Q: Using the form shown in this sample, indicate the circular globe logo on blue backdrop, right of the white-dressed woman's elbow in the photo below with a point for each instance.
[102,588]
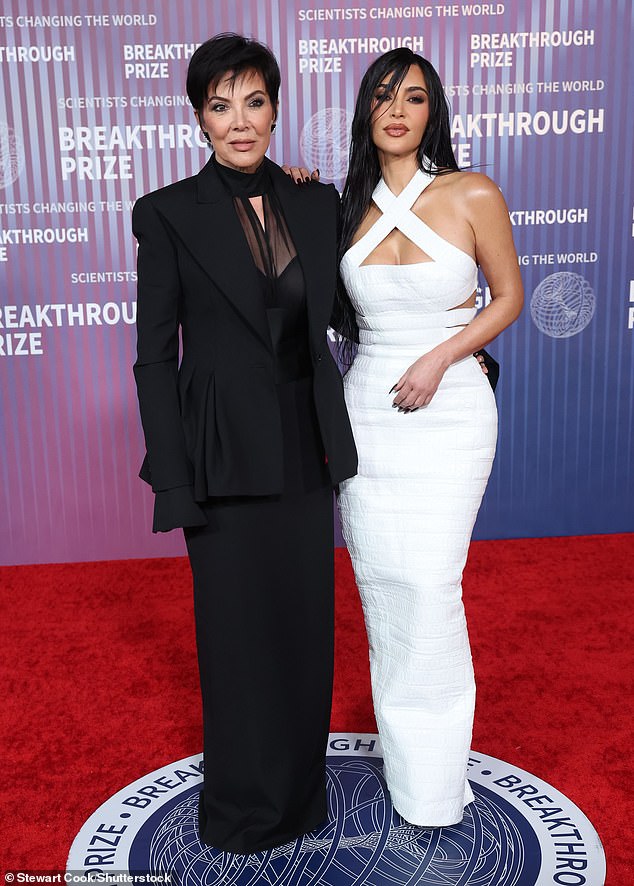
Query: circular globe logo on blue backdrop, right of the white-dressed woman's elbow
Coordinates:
[562,304]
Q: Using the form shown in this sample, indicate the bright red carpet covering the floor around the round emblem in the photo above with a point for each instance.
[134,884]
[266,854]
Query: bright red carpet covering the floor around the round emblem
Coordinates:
[101,686]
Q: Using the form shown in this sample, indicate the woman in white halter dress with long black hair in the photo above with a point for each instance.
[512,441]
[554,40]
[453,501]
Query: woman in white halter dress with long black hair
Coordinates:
[414,230]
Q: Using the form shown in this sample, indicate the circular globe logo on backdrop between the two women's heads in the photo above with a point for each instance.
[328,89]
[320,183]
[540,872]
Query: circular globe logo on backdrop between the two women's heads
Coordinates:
[325,141]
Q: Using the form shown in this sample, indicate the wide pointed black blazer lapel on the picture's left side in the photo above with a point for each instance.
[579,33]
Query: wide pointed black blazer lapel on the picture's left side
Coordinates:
[211,231]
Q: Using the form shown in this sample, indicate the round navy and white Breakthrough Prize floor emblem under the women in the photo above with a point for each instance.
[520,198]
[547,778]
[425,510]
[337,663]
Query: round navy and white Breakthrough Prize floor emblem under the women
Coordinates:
[520,831]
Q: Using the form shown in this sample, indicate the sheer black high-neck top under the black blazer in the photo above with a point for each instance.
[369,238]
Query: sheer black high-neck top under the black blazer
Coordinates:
[281,278]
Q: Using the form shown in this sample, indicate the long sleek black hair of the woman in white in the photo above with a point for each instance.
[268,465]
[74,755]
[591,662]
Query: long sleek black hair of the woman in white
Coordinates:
[434,156]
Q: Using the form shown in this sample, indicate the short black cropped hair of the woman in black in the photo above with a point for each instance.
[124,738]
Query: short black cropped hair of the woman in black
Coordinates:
[230,55]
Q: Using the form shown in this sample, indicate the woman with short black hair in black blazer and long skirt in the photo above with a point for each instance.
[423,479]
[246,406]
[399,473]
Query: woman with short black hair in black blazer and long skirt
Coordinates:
[245,440]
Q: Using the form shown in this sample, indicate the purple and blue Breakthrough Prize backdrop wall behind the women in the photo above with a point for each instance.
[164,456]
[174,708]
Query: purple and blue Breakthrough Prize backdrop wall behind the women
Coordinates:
[93,114]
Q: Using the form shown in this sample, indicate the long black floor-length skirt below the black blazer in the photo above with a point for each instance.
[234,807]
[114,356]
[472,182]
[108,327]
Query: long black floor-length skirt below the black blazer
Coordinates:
[263,600]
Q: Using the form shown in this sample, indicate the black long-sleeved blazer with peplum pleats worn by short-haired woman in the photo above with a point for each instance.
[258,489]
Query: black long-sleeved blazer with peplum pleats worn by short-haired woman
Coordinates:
[212,425]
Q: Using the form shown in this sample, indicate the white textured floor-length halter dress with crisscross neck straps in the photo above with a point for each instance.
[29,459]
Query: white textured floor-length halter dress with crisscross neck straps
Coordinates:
[408,515]
